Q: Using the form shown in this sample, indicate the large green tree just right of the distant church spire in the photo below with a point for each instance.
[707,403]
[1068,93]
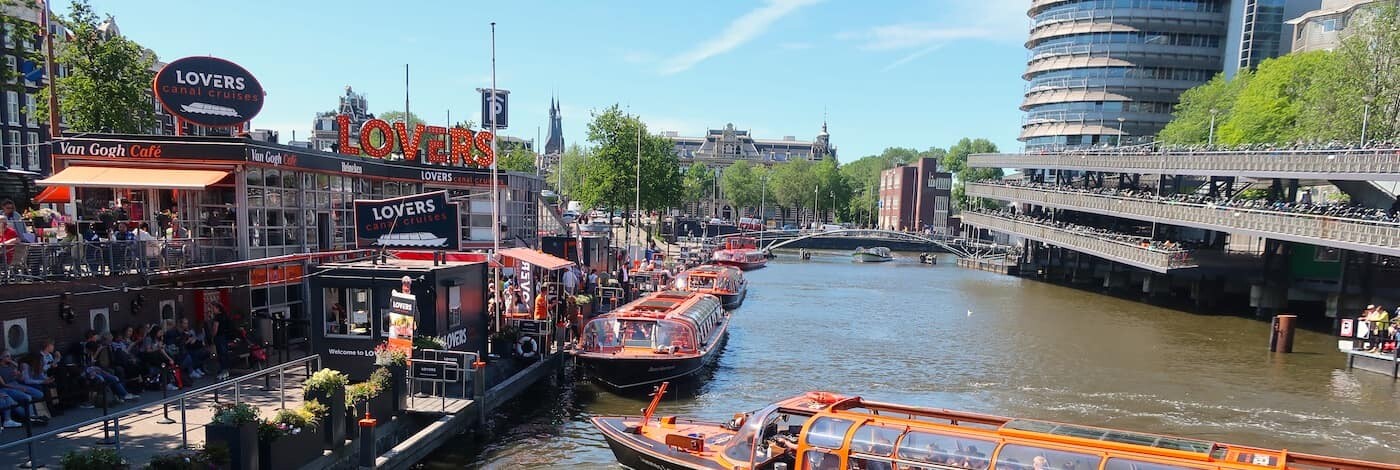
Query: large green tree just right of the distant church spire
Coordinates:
[611,174]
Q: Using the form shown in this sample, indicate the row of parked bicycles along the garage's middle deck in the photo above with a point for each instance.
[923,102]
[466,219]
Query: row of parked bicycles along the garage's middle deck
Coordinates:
[1305,205]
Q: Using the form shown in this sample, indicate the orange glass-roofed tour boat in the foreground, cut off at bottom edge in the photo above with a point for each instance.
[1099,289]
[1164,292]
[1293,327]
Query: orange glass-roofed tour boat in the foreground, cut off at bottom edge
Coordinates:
[829,432]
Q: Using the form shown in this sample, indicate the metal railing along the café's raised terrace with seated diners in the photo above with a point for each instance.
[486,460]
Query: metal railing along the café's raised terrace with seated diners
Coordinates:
[58,261]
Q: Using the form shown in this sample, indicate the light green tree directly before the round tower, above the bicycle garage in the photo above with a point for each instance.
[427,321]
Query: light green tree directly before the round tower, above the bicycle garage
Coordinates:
[1192,120]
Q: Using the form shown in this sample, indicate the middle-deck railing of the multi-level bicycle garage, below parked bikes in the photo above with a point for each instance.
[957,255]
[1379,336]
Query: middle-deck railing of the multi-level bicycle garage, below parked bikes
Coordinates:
[1382,238]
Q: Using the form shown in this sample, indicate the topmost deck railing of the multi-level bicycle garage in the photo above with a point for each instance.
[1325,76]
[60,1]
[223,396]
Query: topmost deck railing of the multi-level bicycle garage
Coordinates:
[1370,164]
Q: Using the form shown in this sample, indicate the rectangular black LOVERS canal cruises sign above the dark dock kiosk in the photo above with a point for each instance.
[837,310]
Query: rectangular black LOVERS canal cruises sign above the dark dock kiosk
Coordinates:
[421,222]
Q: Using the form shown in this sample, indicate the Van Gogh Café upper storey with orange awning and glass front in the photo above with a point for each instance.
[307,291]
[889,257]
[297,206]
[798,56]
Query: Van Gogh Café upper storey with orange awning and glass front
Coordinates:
[247,198]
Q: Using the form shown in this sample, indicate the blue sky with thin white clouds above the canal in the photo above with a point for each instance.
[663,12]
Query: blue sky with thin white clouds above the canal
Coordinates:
[885,73]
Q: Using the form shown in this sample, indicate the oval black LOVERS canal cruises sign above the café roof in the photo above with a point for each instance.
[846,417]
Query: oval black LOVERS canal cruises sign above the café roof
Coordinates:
[209,92]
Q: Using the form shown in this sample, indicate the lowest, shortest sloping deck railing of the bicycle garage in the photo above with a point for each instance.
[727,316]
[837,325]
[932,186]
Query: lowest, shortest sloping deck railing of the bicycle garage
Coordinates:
[1111,250]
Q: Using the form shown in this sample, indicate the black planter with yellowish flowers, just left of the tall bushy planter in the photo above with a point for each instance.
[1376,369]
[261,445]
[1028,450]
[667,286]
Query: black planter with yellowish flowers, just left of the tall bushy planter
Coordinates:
[290,440]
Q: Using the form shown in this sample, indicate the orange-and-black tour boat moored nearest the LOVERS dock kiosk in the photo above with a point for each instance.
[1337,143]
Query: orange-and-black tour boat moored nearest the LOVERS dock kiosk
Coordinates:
[661,336]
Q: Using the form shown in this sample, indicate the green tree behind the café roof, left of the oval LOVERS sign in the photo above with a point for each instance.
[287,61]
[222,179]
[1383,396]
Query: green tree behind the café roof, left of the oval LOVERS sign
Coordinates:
[108,87]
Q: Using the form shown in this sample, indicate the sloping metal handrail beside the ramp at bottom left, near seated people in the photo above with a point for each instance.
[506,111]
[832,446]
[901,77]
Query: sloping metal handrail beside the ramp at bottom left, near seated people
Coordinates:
[114,420]
